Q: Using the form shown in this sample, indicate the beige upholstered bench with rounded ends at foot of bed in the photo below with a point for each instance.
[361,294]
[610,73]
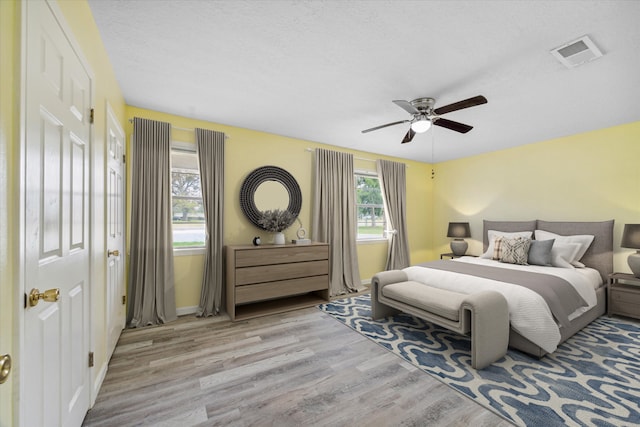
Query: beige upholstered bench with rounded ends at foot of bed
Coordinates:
[483,315]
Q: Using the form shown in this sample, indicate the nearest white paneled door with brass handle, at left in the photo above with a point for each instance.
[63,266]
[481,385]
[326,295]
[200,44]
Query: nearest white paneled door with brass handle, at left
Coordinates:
[54,372]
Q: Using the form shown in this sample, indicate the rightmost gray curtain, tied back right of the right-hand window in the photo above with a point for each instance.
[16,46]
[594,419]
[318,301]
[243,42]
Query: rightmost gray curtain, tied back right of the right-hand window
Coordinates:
[393,183]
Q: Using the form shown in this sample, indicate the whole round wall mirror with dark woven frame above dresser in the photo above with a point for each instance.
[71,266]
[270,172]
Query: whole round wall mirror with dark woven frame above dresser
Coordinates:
[269,188]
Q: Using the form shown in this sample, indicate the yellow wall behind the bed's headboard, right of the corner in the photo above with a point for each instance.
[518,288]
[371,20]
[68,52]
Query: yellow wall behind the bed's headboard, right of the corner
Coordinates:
[592,176]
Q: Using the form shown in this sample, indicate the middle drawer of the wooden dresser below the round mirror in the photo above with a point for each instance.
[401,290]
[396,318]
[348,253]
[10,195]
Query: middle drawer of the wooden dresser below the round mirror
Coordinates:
[275,272]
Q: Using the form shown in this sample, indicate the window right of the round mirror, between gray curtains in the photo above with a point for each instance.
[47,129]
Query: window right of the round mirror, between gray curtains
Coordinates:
[370,208]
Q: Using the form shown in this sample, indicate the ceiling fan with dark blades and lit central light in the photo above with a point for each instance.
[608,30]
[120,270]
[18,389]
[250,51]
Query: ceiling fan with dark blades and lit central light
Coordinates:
[424,115]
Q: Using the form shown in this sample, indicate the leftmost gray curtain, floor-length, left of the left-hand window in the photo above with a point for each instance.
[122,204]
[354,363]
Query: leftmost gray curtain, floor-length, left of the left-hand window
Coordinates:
[151,278]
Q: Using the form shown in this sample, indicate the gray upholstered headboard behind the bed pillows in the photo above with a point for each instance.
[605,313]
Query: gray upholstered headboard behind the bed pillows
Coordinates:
[598,256]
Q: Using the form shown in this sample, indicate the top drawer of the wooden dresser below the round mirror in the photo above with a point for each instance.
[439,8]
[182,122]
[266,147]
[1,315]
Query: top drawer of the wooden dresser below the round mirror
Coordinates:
[285,255]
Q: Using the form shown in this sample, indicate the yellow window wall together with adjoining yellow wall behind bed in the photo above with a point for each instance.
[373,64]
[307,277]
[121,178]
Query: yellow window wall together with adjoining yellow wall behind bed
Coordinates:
[584,177]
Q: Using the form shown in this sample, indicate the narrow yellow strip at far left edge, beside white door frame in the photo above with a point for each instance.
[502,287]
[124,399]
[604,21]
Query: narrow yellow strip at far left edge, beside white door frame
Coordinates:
[9,68]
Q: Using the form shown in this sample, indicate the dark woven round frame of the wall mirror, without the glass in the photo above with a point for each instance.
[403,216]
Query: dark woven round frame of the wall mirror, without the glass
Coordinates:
[264,174]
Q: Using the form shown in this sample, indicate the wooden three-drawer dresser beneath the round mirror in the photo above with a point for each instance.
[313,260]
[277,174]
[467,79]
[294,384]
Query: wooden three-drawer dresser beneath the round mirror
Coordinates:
[270,279]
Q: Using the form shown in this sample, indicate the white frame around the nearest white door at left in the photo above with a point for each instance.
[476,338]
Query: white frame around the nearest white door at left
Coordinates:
[20,404]
